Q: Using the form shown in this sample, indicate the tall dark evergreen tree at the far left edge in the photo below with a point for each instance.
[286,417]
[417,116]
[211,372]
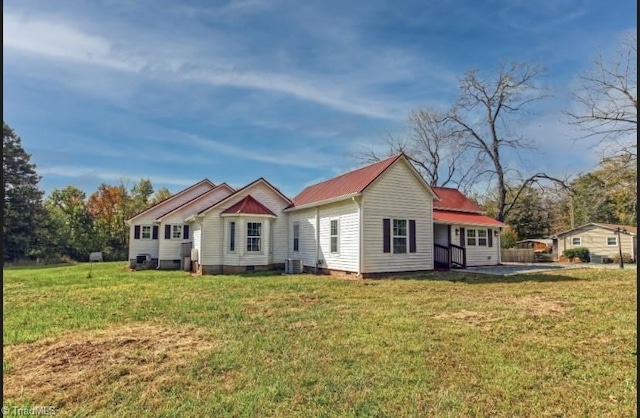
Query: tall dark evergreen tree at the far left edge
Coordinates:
[22,210]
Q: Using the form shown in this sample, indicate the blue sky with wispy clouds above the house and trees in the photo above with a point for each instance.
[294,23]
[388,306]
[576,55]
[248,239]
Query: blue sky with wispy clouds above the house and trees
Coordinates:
[290,91]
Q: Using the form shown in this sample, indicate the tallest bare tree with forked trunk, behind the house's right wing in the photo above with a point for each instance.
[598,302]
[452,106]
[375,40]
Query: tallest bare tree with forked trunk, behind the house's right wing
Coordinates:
[486,115]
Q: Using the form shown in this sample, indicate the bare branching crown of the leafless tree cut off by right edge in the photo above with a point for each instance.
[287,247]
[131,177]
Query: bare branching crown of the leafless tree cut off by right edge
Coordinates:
[607,100]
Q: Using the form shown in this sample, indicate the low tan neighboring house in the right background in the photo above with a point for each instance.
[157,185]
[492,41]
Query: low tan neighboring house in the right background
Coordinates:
[601,239]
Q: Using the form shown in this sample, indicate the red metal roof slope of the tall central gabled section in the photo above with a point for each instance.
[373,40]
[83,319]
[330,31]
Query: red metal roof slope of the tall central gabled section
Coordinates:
[349,183]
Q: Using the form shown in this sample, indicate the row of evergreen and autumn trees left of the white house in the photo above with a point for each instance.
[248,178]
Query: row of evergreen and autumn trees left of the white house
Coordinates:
[67,223]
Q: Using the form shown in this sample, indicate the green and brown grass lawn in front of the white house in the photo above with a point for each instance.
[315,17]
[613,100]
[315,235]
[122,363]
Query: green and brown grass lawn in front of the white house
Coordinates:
[450,344]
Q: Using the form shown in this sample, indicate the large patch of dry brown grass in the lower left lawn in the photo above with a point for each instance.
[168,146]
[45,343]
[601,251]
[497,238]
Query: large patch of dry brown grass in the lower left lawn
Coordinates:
[83,368]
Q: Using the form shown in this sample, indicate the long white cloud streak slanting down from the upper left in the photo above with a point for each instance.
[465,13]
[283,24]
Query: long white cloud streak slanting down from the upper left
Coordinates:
[46,38]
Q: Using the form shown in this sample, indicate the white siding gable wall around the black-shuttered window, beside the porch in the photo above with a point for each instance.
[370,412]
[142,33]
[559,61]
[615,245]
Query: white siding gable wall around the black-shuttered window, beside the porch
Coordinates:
[397,194]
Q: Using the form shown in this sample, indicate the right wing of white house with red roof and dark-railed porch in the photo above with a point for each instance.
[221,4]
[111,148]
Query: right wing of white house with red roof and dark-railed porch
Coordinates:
[464,236]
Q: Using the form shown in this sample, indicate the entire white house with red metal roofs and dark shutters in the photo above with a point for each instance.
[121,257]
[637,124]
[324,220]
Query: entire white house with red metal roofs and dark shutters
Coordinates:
[382,218]
